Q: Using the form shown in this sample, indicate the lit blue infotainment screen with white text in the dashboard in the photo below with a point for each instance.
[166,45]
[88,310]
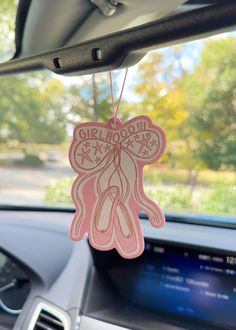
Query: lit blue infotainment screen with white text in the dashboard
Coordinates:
[182,280]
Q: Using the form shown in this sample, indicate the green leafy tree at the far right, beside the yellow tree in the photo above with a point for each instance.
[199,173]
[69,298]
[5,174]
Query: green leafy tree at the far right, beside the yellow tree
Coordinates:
[211,98]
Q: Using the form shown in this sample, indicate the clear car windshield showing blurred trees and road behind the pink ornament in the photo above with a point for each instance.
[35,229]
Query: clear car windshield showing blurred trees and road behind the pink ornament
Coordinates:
[187,89]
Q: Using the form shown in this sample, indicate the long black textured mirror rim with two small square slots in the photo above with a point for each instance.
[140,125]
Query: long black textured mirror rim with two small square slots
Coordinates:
[116,47]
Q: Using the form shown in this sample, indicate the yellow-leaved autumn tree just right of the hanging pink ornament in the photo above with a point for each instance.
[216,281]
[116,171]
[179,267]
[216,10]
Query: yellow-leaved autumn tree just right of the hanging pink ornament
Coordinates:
[160,89]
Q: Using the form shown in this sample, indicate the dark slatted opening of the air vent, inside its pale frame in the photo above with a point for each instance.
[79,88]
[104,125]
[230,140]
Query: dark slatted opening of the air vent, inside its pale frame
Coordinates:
[48,321]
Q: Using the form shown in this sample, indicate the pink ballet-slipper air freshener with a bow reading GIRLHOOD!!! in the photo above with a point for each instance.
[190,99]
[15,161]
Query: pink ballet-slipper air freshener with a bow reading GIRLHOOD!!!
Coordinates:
[108,192]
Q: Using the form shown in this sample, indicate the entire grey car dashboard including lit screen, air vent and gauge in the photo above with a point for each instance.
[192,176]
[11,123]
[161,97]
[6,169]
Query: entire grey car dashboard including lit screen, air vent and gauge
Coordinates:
[185,279]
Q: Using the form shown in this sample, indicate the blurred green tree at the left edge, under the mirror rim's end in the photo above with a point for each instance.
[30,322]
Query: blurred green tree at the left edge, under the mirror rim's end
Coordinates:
[32,109]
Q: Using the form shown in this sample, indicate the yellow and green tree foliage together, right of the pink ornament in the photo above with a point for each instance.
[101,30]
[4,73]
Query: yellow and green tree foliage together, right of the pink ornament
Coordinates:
[198,109]
